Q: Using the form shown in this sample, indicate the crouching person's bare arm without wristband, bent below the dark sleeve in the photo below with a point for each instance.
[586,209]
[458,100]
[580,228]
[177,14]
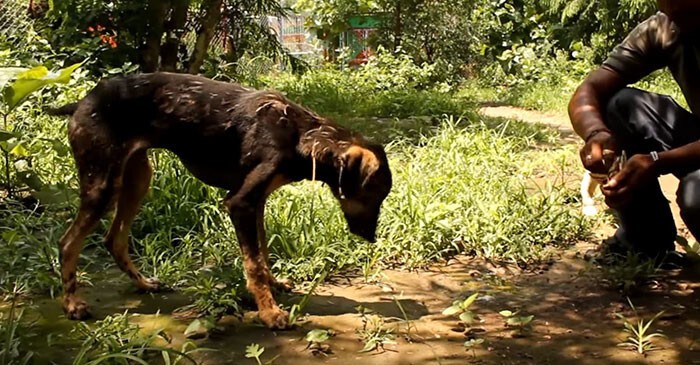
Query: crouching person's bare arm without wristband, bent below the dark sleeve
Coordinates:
[586,110]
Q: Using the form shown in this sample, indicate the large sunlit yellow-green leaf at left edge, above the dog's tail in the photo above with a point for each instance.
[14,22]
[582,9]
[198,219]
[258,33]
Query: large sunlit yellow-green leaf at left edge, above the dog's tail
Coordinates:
[32,80]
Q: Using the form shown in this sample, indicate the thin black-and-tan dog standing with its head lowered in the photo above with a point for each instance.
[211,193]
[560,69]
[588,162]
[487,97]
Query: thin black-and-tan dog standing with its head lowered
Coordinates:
[246,141]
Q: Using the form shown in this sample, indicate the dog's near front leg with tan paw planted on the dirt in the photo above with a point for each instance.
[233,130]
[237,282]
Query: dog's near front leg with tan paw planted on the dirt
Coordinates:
[243,207]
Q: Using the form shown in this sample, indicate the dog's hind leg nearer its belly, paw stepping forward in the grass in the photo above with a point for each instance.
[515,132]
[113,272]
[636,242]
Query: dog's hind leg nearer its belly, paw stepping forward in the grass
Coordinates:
[136,181]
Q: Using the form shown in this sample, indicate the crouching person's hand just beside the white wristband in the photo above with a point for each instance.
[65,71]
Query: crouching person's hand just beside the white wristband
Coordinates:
[636,172]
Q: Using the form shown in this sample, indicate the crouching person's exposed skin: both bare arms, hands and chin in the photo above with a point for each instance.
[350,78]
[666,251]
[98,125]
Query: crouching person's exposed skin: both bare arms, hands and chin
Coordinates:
[585,111]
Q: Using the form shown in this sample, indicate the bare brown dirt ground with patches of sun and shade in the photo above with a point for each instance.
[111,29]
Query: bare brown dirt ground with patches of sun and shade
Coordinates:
[574,314]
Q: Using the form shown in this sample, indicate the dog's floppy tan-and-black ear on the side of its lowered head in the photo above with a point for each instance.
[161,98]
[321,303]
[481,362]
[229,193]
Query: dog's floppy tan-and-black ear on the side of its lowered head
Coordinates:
[358,164]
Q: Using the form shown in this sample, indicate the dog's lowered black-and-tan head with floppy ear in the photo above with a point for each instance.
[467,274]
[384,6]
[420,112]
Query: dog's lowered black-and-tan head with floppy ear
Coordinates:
[364,183]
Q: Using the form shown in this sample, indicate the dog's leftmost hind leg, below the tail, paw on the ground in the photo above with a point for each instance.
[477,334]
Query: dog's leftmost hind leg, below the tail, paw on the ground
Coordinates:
[96,193]
